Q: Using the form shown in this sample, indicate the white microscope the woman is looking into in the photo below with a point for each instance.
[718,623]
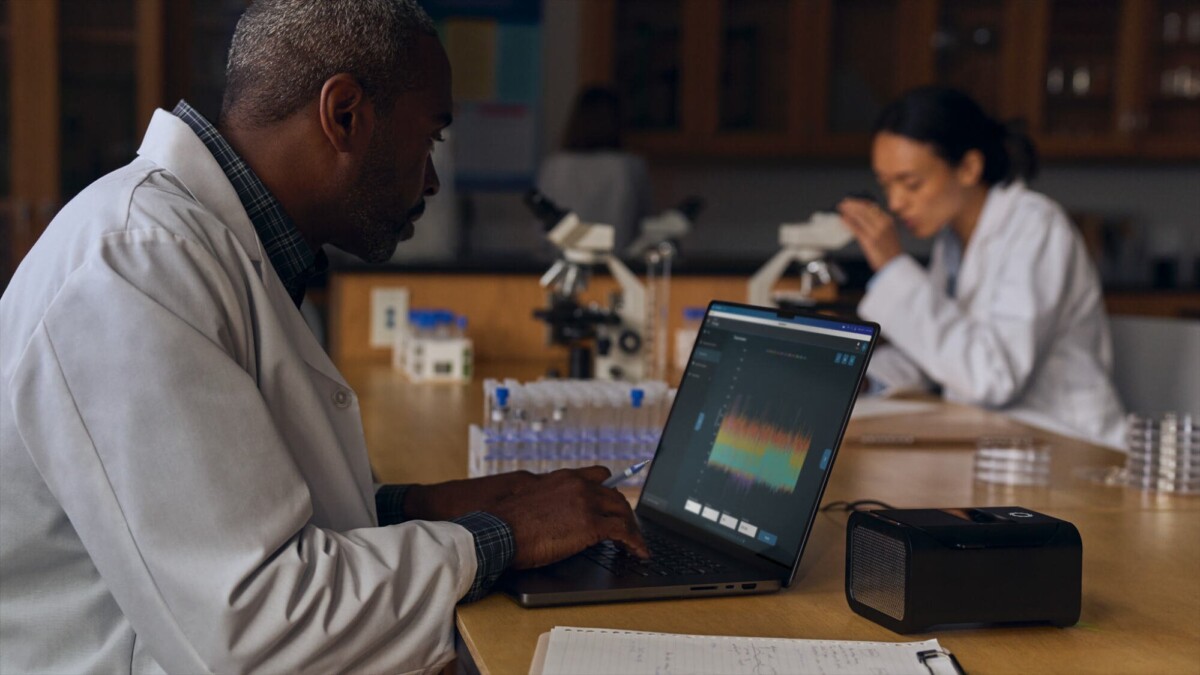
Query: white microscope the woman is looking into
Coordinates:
[809,244]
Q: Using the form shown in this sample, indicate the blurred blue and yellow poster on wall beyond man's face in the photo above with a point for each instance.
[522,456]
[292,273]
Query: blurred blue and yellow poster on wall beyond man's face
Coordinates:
[495,50]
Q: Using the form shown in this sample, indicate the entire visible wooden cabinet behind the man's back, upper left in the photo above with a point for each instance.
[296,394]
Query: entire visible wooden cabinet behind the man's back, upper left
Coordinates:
[80,81]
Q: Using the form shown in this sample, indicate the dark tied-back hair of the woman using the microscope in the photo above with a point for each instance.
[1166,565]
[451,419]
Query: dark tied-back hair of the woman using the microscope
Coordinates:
[953,124]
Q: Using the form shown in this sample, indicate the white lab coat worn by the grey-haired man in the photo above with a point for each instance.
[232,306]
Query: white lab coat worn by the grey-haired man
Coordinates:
[185,485]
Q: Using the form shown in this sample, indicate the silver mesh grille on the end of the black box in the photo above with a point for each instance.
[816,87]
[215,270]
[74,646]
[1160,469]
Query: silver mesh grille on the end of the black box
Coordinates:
[878,572]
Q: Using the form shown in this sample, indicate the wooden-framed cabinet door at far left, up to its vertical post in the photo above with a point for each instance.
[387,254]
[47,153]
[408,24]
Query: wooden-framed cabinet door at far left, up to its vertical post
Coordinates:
[83,80]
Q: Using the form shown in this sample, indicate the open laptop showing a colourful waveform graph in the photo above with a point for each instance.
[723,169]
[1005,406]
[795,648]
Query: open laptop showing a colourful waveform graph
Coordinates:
[741,467]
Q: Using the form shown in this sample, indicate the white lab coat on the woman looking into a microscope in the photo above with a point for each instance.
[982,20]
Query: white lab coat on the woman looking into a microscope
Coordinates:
[1027,332]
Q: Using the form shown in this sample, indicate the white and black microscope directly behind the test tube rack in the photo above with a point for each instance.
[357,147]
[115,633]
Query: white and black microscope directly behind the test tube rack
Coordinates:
[610,338]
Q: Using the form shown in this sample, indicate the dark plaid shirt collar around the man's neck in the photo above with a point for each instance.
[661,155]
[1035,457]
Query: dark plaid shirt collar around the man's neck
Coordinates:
[291,256]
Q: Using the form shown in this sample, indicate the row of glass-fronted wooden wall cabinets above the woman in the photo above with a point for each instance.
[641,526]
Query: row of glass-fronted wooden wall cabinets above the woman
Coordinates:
[728,79]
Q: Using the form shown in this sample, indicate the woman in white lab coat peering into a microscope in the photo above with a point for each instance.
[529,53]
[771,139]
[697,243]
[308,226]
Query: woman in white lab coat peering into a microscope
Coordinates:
[1010,313]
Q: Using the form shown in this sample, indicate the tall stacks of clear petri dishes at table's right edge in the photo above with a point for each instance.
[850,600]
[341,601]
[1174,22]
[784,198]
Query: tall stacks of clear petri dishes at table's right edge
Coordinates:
[1165,453]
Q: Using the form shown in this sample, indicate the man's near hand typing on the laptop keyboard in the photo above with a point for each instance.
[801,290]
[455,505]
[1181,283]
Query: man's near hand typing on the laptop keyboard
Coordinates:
[562,513]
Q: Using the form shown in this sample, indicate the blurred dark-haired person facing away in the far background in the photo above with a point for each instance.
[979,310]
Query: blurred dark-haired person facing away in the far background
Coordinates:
[593,176]
